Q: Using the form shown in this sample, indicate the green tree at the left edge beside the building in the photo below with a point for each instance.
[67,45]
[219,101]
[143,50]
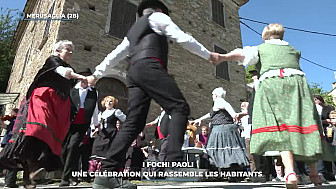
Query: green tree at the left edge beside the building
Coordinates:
[8,24]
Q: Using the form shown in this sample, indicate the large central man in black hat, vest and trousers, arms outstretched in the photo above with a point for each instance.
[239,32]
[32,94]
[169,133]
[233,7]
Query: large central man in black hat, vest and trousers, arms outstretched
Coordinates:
[146,45]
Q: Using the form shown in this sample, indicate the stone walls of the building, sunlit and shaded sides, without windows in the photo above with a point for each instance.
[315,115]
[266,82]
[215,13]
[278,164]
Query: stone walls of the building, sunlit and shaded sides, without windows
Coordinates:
[194,75]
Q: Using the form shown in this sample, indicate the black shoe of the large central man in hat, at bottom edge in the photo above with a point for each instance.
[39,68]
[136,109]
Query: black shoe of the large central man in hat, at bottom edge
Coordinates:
[110,183]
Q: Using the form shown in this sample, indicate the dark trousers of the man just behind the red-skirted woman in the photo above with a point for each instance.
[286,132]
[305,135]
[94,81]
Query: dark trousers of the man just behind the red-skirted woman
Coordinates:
[71,151]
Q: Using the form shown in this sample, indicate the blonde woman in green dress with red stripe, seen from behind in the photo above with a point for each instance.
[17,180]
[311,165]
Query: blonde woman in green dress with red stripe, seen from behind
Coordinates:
[285,118]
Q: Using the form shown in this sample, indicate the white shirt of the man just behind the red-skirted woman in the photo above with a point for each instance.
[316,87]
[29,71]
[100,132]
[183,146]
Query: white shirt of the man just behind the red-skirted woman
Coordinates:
[82,95]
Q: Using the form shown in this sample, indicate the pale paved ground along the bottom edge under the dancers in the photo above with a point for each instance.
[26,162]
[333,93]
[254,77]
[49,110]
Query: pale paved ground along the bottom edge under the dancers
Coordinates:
[195,185]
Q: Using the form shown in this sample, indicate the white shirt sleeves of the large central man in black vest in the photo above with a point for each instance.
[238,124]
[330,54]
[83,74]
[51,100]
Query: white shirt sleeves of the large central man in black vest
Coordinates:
[161,24]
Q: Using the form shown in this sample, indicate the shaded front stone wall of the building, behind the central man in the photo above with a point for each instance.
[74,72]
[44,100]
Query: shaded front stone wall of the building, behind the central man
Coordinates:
[194,75]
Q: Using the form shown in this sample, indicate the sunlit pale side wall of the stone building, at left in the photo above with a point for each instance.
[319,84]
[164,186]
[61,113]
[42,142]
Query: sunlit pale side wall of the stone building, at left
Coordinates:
[32,49]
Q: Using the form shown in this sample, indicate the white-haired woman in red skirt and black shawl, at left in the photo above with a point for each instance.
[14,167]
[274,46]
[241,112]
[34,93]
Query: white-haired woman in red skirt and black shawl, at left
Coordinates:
[48,118]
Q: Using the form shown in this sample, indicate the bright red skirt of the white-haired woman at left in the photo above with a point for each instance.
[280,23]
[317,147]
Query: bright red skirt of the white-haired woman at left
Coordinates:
[48,118]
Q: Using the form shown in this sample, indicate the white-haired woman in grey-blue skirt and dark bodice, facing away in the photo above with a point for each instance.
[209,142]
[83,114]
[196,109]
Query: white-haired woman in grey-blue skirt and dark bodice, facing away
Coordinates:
[225,147]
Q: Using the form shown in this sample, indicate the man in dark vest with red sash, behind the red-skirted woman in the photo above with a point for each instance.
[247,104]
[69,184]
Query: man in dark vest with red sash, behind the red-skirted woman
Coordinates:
[83,114]
